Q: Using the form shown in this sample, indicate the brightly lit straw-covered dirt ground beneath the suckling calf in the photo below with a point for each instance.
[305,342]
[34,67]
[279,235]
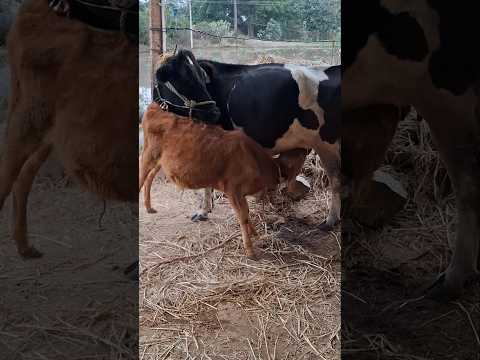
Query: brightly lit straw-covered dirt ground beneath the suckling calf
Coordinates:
[219,304]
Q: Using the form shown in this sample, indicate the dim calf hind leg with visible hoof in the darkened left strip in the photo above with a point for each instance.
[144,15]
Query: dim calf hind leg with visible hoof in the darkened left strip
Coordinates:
[21,190]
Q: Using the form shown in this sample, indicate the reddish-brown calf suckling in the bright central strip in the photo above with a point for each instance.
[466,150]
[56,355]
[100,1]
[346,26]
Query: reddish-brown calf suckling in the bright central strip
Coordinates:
[196,156]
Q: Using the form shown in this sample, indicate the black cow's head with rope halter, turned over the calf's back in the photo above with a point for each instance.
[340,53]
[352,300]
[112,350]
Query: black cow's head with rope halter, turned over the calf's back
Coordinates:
[182,85]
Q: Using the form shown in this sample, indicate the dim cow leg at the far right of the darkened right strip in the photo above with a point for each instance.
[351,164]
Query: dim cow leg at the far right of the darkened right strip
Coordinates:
[459,145]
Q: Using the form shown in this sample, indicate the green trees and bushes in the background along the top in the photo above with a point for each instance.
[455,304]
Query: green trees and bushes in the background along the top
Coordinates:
[302,20]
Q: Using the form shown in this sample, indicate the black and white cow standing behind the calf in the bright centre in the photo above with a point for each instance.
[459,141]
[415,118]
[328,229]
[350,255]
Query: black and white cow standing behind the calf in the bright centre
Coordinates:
[282,107]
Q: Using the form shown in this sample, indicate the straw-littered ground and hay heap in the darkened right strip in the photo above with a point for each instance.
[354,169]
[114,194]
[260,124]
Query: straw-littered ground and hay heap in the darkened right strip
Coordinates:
[386,271]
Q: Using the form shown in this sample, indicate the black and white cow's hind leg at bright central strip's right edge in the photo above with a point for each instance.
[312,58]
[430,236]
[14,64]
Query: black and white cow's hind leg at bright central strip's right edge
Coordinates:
[331,161]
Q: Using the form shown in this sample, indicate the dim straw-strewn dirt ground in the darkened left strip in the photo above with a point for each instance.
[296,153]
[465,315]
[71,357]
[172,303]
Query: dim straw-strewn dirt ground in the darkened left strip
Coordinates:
[75,302]
